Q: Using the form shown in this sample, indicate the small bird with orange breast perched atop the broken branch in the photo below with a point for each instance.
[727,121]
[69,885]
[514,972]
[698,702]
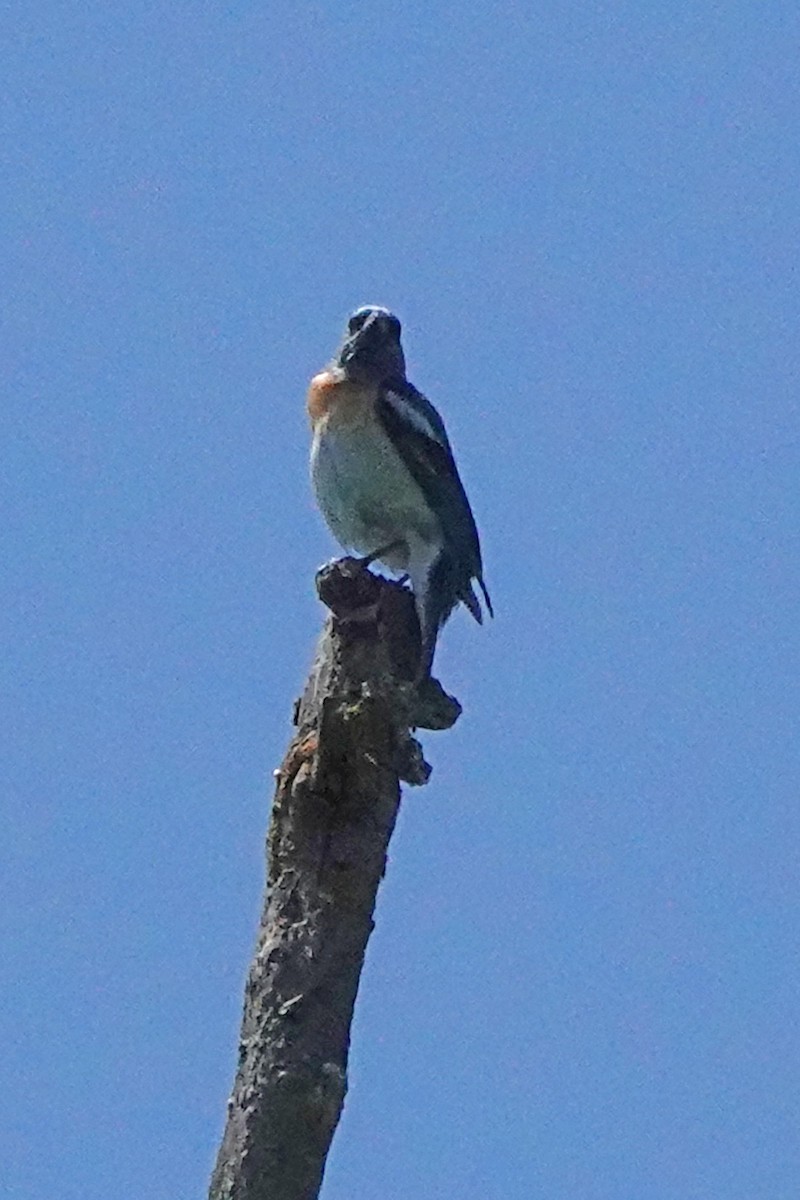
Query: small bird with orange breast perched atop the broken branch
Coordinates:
[386,478]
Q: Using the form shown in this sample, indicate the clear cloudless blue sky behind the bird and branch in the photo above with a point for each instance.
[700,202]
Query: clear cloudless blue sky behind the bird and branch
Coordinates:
[584,983]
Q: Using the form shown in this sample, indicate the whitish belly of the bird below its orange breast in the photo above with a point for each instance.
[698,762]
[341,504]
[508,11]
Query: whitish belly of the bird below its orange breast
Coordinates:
[368,495]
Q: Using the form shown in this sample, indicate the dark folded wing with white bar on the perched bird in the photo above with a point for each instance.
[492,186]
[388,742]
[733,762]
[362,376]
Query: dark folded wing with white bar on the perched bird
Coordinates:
[419,436]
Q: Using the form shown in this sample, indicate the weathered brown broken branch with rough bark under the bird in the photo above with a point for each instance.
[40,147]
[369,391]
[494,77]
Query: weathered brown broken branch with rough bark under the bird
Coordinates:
[334,812]
